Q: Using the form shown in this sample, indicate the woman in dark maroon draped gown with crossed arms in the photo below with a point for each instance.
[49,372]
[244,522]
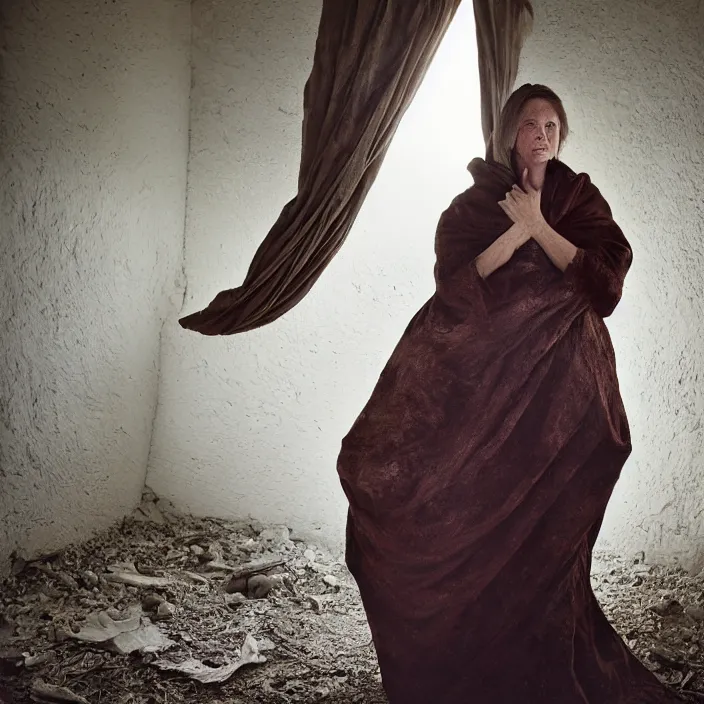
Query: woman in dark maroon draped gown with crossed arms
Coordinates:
[479,471]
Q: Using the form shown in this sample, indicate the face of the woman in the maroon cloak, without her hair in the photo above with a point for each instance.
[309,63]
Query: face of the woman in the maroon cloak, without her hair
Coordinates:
[538,138]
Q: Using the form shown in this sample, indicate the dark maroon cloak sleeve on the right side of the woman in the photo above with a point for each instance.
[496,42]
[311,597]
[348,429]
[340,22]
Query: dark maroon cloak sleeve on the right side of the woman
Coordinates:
[603,255]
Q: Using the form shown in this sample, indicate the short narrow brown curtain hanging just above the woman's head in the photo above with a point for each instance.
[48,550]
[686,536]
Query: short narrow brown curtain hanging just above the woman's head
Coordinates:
[502,27]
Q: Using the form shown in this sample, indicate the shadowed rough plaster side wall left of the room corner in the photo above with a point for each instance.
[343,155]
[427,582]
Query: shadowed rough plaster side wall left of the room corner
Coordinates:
[94,140]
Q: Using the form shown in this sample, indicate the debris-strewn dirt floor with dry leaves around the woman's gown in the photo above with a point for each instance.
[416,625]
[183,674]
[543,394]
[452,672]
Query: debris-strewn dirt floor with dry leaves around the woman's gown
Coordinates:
[165,609]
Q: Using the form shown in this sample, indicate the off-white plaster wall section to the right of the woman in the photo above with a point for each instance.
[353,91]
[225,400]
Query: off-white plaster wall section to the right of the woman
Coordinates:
[632,77]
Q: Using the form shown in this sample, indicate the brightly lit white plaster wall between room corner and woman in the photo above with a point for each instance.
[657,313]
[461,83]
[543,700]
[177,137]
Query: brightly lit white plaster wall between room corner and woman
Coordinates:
[251,424]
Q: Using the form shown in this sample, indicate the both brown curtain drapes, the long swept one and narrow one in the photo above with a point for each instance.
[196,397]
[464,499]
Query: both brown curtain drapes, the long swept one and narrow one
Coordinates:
[370,58]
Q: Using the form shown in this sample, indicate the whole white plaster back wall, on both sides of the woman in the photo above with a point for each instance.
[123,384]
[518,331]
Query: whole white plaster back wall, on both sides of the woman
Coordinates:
[252,423]
